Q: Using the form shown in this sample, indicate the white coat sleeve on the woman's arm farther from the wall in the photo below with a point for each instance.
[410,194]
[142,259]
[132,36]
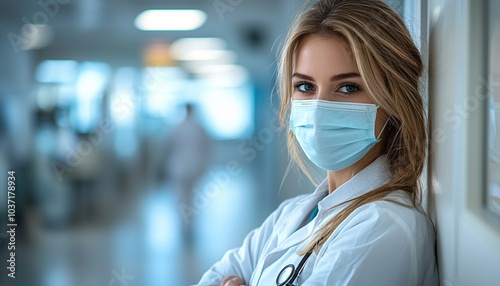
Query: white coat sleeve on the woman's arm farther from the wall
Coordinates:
[242,261]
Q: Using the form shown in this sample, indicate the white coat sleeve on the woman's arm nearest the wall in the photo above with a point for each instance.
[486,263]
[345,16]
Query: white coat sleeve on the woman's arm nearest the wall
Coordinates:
[378,247]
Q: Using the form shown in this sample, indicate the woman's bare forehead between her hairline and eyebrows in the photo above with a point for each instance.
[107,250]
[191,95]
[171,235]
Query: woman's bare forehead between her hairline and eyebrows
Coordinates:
[324,54]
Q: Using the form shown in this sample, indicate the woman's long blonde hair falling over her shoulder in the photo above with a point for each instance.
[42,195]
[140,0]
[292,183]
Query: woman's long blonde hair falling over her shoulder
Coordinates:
[390,66]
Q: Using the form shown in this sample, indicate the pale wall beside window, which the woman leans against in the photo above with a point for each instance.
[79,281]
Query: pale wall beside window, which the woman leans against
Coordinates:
[468,237]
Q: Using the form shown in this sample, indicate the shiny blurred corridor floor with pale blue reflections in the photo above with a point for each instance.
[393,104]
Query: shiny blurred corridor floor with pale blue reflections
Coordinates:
[153,241]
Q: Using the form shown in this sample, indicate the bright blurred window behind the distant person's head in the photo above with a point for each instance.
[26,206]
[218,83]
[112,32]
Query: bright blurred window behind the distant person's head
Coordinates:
[223,96]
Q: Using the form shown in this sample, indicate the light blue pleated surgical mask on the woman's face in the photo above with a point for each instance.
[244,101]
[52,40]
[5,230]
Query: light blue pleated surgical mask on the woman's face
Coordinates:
[334,135]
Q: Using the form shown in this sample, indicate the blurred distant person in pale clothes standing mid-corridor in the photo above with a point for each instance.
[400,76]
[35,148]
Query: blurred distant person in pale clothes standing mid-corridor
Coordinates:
[188,154]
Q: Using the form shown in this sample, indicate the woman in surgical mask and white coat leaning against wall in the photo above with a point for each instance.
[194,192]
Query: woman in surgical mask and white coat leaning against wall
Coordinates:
[349,76]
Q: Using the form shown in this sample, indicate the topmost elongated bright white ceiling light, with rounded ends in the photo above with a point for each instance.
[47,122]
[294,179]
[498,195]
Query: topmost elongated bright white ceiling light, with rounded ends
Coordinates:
[170,20]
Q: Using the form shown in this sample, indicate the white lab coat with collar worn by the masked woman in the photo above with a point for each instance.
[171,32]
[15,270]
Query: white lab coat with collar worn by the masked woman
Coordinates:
[381,243]
